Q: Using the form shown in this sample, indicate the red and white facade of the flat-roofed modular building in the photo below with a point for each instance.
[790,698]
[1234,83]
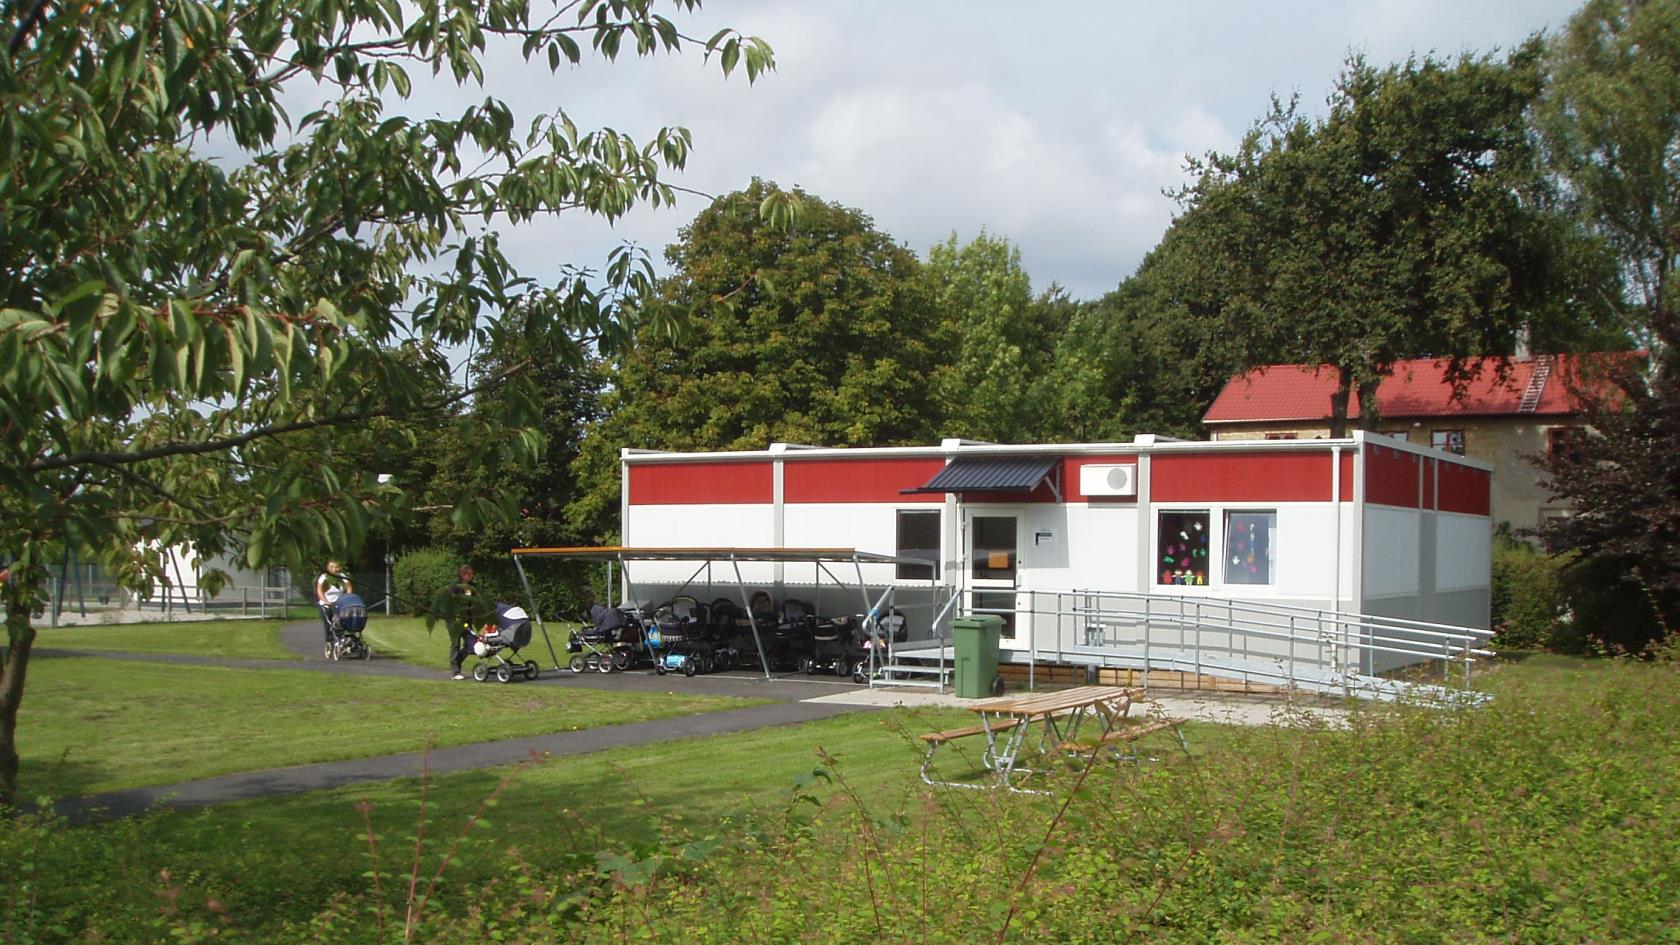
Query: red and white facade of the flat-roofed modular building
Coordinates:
[1368,524]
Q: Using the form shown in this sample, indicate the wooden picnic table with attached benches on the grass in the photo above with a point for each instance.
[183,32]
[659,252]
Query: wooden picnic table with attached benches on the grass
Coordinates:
[1056,717]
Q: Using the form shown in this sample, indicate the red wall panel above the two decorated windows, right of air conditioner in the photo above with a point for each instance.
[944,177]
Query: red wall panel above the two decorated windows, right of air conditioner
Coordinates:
[1241,478]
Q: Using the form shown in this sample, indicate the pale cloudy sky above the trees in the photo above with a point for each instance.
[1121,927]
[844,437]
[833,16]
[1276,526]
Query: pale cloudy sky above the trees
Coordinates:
[1056,127]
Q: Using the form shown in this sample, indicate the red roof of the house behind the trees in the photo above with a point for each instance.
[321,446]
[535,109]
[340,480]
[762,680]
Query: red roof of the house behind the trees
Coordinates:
[1415,389]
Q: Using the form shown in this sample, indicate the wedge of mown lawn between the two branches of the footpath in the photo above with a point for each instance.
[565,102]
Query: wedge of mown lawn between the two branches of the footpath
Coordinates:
[93,726]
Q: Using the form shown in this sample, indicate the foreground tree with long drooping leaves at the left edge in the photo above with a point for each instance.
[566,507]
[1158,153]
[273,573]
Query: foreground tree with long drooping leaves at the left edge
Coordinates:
[209,354]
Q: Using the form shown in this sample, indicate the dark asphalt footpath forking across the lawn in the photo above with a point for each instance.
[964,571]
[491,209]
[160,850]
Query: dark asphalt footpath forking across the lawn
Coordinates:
[794,705]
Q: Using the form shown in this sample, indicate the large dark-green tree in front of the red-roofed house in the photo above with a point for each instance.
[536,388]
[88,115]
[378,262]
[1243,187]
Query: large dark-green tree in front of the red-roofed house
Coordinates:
[1412,221]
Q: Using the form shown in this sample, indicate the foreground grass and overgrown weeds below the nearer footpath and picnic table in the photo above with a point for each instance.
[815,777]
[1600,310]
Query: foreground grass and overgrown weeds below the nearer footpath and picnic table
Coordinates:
[1546,816]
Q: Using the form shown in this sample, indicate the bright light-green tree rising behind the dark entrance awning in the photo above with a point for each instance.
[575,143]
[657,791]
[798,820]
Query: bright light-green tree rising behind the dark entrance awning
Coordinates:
[1002,339]
